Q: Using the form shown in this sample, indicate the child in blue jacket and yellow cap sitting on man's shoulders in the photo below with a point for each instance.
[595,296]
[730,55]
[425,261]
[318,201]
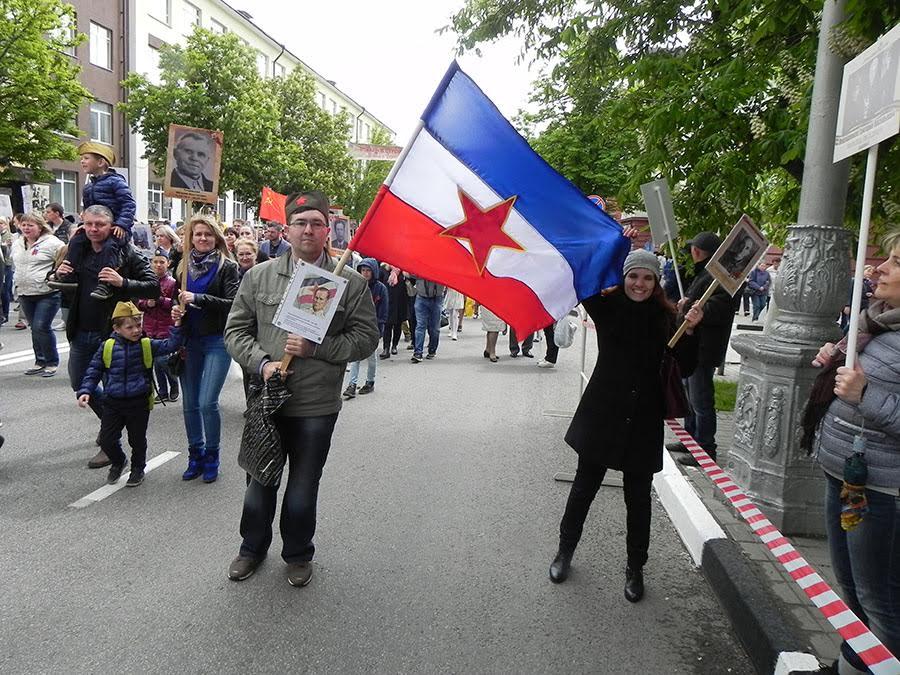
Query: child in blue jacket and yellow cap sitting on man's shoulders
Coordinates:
[106,188]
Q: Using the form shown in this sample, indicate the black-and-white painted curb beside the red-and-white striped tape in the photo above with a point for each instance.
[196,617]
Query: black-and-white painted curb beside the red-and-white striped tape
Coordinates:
[773,643]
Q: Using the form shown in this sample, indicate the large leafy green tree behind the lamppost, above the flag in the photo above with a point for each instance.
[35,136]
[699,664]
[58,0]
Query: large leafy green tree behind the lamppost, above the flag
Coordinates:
[714,95]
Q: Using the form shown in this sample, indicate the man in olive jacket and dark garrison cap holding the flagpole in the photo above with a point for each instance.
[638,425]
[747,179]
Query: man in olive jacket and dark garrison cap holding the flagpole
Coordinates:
[306,420]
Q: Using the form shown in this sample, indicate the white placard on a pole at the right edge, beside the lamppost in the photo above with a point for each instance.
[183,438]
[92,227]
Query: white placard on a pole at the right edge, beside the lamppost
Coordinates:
[870,97]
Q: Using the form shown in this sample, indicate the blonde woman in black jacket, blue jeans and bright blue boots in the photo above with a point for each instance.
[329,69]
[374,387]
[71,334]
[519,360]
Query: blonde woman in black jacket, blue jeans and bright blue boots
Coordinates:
[212,282]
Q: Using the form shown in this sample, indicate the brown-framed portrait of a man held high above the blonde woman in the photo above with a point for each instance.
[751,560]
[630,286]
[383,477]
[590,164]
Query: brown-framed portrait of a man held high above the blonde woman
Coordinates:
[193,160]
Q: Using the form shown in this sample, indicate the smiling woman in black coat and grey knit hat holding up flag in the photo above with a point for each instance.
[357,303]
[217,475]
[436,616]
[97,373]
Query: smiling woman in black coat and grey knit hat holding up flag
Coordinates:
[619,421]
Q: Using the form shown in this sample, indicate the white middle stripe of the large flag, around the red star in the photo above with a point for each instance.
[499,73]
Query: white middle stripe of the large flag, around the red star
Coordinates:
[429,180]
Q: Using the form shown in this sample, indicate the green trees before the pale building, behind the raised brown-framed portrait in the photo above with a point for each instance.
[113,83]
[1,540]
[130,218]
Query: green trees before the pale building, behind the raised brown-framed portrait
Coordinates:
[274,133]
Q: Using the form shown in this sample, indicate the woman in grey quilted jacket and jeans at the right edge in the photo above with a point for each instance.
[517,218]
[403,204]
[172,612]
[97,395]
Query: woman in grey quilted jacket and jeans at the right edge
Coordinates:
[866,404]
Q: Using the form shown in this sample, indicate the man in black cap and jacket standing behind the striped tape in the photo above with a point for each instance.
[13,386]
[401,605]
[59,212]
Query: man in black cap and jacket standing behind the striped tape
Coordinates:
[713,335]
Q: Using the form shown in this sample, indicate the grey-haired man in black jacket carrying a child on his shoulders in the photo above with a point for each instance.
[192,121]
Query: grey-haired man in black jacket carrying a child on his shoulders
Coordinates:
[89,319]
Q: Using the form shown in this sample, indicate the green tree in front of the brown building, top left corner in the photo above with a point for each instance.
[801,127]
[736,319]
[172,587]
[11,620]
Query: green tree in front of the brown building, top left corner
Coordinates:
[39,88]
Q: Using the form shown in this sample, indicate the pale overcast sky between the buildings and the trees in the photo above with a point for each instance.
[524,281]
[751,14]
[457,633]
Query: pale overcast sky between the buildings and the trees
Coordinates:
[387,56]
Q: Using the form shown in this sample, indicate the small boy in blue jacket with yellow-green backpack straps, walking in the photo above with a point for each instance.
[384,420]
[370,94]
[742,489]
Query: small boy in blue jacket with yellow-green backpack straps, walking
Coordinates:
[125,364]
